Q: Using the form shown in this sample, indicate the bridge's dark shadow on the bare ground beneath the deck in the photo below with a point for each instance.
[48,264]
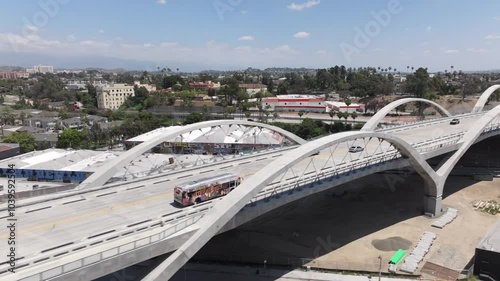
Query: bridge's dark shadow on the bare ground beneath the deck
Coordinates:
[319,224]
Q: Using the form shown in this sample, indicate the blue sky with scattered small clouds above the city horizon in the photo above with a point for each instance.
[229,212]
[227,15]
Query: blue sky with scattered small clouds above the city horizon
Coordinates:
[236,34]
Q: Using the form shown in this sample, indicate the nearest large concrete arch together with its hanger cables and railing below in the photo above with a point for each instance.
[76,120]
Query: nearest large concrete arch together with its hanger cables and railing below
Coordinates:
[384,146]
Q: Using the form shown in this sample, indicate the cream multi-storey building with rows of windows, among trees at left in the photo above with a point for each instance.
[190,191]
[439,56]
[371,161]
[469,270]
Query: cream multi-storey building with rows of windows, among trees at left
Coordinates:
[113,96]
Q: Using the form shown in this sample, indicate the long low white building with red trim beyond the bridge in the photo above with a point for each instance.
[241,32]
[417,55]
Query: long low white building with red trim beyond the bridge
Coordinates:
[294,103]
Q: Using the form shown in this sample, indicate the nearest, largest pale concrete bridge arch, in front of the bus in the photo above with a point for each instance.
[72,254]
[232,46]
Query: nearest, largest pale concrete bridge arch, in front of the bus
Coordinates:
[227,208]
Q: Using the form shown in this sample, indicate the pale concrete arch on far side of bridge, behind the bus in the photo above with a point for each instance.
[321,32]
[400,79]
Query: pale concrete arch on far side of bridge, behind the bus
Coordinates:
[100,177]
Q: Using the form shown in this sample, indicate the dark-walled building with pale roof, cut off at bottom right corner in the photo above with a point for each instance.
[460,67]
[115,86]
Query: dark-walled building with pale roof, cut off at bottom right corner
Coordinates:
[487,258]
